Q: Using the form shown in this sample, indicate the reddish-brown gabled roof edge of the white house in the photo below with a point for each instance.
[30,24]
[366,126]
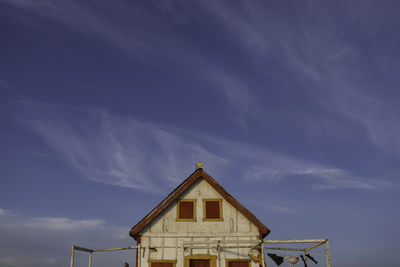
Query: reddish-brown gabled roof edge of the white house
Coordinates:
[196,175]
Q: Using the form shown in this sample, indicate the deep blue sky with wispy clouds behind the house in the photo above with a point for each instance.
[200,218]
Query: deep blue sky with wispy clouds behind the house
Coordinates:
[106,106]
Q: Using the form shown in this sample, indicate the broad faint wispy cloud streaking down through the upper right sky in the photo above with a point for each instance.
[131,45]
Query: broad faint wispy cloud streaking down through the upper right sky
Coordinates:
[327,64]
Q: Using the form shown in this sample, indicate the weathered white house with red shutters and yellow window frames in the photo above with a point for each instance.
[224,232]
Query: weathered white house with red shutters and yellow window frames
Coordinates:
[199,224]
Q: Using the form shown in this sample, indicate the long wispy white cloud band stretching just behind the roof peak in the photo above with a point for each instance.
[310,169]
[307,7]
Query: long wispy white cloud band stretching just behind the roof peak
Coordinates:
[130,153]
